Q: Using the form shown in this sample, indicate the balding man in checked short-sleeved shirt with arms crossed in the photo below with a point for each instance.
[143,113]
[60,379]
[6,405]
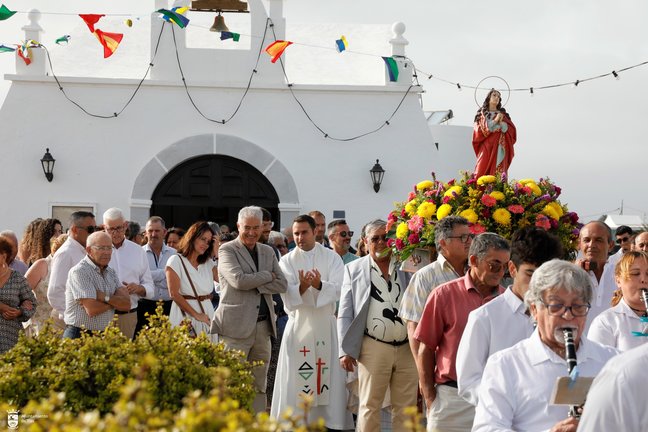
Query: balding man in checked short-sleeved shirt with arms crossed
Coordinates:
[93,291]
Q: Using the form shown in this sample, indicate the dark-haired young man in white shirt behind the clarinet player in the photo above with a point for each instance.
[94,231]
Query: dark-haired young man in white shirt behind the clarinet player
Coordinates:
[504,321]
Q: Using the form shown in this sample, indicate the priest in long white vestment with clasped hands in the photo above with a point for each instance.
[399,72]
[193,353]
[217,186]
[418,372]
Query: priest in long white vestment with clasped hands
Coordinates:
[308,359]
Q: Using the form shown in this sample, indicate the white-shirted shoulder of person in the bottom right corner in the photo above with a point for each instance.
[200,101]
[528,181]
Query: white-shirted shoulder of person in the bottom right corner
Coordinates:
[617,399]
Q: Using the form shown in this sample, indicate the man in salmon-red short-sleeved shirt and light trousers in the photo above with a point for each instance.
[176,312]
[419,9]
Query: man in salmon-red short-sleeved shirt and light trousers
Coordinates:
[442,324]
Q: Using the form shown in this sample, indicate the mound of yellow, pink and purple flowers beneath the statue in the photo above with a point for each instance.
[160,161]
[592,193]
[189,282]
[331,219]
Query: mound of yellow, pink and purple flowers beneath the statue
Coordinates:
[489,203]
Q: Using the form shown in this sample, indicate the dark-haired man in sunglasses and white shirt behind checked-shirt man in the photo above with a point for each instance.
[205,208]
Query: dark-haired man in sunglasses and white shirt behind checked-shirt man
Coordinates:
[82,224]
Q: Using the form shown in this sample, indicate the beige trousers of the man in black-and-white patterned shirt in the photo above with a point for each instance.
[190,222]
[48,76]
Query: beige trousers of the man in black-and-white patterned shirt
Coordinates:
[381,366]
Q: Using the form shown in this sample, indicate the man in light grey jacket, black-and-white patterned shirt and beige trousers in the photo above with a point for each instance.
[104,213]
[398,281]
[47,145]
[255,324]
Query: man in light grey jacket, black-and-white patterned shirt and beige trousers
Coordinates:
[371,334]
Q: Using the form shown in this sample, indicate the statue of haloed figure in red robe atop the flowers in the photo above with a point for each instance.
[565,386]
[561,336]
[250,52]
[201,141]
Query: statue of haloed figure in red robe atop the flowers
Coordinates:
[493,137]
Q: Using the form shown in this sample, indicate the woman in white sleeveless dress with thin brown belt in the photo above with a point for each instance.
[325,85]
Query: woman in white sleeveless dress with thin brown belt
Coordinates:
[193,264]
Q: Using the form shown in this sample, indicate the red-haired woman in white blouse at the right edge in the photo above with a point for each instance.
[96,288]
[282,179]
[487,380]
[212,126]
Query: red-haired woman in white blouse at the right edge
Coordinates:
[622,326]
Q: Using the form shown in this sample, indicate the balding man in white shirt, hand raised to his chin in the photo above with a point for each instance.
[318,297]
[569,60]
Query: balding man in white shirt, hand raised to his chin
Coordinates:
[595,243]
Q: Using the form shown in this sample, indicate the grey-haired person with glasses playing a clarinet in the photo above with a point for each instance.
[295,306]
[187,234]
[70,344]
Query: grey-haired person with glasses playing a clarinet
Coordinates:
[515,392]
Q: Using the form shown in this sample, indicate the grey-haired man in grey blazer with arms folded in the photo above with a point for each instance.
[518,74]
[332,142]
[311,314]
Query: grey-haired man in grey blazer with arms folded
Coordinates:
[249,274]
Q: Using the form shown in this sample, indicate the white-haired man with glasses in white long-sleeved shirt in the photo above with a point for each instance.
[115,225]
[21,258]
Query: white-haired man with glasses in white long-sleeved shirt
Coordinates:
[131,264]
